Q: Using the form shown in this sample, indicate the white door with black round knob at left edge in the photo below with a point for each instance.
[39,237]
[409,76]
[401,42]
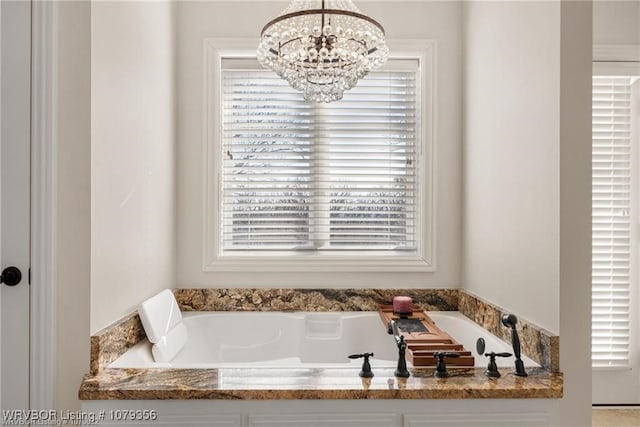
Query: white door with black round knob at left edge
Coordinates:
[15,141]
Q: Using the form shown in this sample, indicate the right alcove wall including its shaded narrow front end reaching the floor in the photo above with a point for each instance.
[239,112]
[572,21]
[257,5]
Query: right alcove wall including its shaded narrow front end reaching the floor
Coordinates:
[527,180]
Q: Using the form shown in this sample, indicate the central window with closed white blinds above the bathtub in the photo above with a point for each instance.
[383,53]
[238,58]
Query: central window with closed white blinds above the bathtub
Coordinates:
[341,185]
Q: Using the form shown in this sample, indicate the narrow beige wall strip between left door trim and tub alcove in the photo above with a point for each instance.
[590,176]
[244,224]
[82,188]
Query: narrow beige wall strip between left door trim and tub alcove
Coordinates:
[74,204]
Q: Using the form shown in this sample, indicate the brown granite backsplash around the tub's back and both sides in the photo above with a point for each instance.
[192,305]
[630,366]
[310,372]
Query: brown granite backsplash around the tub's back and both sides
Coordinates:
[540,345]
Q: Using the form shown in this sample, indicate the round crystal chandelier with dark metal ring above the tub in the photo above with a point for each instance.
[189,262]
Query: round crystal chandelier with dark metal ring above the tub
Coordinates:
[322,47]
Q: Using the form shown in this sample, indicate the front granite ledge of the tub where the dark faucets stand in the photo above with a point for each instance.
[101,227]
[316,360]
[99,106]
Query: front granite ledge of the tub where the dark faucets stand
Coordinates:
[304,383]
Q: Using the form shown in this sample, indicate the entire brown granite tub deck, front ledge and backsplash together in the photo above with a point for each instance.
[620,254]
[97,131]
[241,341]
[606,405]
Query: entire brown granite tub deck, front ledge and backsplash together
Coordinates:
[104,383]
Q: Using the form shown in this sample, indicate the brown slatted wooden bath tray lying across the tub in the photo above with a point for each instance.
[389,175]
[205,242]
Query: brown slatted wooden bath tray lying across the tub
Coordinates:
[422,345]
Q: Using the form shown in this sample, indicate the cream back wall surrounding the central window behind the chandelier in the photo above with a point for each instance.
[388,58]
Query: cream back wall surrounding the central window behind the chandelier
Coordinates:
[440,21]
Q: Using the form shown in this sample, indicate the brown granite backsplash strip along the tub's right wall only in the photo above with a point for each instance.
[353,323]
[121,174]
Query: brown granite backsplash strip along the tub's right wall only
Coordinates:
[536,342]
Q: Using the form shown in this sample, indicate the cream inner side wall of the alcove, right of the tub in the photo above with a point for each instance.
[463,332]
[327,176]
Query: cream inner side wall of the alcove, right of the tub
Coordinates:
[511,193]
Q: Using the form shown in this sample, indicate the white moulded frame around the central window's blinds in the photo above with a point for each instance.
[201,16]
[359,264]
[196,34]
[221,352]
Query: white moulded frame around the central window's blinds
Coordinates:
[215,50]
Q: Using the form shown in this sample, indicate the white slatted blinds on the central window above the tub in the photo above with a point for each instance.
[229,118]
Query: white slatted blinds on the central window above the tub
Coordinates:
[299,176]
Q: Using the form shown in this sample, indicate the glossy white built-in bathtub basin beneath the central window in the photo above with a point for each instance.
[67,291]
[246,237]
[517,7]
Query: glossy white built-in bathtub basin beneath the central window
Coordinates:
[280,339]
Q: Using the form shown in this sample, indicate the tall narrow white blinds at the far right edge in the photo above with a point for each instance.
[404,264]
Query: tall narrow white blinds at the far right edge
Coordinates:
[611,223]
